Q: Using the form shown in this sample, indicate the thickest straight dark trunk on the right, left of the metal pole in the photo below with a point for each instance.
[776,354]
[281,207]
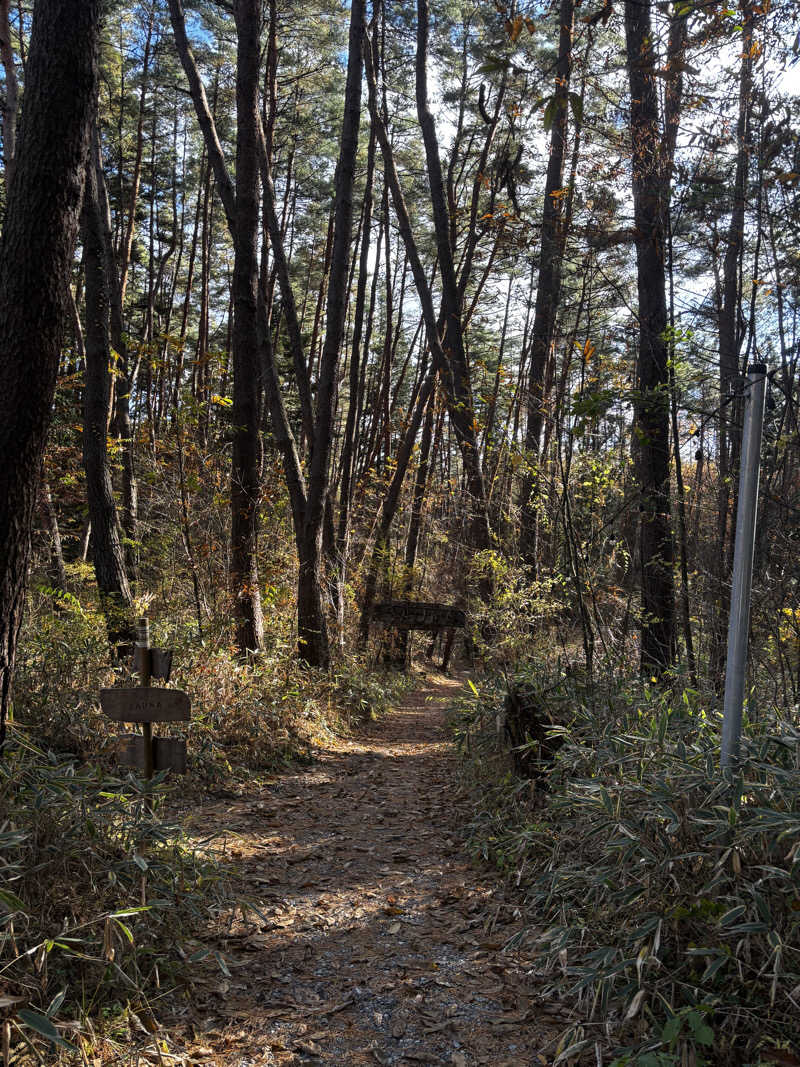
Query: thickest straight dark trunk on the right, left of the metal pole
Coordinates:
[652,416]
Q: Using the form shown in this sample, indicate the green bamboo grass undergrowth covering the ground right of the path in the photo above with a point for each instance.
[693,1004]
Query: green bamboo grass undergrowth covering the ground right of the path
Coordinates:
[662,901]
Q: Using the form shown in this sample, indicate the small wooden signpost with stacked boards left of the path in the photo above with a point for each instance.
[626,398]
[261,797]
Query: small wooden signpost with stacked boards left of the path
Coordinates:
[147,706]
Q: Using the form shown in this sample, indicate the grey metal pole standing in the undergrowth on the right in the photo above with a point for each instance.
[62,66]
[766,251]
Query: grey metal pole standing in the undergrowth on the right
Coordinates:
[739,625]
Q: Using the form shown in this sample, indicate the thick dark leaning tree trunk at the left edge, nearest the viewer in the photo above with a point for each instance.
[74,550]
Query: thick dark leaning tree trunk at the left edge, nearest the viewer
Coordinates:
[37,250]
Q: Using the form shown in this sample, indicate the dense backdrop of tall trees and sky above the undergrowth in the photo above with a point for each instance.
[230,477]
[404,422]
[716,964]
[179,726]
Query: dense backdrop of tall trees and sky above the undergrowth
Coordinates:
[488,332]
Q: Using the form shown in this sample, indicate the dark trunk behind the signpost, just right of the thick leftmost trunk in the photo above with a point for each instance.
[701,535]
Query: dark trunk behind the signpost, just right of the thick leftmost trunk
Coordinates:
[107,550]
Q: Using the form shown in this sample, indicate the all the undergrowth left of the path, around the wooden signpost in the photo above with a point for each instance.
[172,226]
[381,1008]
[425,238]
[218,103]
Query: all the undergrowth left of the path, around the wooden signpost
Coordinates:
[104,902]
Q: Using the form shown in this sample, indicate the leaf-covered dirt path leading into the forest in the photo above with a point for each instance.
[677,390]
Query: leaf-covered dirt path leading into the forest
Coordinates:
[381,942]
